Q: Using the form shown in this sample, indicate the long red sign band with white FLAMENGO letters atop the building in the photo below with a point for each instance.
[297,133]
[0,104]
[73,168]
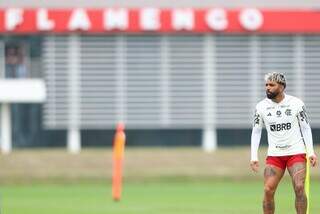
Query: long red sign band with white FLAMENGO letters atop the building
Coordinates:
[110,20]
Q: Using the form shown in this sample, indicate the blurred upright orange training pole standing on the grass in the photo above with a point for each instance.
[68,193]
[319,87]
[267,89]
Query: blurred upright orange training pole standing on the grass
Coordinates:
[118,154]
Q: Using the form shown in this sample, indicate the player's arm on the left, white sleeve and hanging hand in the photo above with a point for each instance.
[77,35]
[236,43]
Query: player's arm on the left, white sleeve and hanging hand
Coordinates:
[255,140]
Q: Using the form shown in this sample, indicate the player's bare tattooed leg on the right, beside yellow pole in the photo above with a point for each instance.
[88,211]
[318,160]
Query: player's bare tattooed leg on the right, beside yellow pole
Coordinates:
[298,174]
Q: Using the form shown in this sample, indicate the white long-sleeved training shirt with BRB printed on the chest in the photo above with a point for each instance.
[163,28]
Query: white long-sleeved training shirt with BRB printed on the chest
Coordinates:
[287,126]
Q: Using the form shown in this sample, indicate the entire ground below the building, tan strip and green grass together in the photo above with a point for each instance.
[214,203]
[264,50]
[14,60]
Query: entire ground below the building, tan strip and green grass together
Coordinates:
[156,181]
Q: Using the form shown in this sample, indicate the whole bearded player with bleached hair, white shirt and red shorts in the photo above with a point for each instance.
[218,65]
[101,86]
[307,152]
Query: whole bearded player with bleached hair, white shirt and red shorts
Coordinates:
[289,139]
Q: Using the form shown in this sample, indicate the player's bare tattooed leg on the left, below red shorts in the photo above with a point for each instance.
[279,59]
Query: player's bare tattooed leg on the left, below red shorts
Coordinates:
[272,177]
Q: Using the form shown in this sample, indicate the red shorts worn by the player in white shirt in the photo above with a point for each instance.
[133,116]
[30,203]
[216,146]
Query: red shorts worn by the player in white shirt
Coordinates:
[285,161]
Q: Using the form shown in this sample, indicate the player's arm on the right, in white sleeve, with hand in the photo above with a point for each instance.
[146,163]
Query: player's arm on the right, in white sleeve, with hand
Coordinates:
[307,134]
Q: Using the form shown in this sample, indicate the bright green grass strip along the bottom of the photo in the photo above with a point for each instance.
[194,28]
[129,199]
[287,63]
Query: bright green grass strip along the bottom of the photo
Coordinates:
[152,197]
